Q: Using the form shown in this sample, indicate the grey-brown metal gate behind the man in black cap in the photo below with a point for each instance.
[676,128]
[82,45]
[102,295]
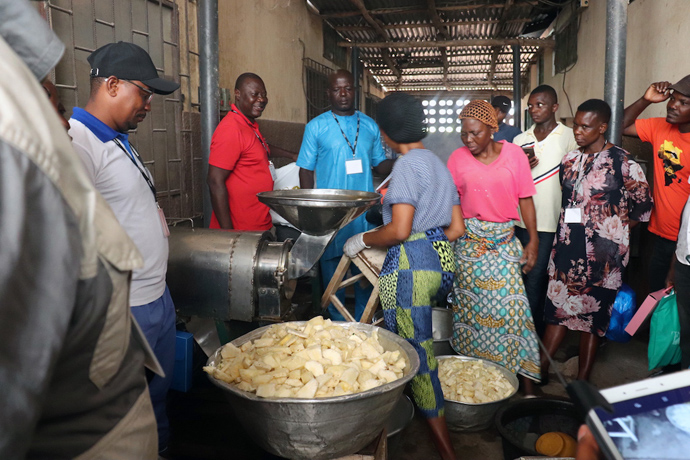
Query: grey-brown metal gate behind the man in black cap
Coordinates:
[164,141]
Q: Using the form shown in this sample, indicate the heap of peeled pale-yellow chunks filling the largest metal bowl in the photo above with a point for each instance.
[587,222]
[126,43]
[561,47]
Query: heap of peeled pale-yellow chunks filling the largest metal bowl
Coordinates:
[315,360]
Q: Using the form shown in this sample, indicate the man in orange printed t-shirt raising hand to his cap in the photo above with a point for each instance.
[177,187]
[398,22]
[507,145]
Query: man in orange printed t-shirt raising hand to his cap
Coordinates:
[670,139]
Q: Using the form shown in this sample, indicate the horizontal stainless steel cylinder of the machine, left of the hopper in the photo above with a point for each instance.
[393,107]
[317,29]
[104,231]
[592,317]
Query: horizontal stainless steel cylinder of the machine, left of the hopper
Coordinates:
[228,275]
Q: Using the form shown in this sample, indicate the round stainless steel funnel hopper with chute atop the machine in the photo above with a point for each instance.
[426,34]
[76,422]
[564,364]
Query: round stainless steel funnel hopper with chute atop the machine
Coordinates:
[318,214]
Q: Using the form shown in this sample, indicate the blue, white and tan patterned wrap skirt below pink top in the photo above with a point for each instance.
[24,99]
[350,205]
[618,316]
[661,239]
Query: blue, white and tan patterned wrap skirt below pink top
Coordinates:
[491,315]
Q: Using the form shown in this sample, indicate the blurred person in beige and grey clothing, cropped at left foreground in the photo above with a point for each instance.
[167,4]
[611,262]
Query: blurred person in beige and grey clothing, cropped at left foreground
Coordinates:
[72,359]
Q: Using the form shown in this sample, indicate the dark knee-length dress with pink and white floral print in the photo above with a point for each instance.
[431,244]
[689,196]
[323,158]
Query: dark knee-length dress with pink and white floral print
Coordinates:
[588,258]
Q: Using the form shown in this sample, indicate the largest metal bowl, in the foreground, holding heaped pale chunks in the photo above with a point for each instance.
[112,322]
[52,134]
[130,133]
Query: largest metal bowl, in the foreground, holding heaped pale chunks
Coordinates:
[322,428]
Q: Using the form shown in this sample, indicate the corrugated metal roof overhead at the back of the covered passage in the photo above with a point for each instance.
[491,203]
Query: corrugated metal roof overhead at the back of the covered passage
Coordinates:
[442,45]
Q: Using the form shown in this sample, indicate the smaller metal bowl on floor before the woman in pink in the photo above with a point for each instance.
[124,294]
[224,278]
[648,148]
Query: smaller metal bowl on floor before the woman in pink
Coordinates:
[476,416]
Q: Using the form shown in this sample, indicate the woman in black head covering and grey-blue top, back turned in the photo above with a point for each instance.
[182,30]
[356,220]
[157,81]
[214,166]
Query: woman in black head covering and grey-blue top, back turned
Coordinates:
[421,214]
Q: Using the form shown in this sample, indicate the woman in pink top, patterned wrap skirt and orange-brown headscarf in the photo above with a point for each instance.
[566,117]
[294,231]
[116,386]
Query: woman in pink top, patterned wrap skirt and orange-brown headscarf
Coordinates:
[491,315]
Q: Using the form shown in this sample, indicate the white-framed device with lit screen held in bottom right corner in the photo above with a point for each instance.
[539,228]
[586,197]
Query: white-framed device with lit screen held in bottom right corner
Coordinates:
[651,419]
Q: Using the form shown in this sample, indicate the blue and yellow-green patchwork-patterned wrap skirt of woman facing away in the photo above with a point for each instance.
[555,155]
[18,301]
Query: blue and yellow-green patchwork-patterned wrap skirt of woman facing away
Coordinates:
[417,274]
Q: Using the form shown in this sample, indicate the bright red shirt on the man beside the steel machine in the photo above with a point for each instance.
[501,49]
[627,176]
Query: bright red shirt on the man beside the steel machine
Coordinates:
[238,146]
